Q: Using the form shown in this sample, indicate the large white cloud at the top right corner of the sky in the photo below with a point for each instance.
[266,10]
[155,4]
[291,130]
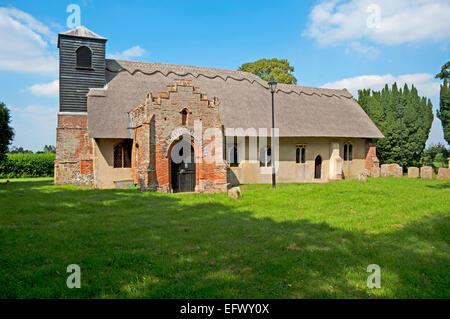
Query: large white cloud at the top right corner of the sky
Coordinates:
[401,21]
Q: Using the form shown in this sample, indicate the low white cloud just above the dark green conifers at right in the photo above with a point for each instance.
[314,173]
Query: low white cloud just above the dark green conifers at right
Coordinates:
[424,82]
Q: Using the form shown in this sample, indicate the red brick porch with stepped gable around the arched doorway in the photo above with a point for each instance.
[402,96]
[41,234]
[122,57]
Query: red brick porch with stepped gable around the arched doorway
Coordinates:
[158,125]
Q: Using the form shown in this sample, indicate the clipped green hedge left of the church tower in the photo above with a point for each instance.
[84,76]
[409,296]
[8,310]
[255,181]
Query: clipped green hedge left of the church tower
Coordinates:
[27,165]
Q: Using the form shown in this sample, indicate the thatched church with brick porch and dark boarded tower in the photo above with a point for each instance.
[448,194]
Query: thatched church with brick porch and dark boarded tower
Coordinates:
[178,128]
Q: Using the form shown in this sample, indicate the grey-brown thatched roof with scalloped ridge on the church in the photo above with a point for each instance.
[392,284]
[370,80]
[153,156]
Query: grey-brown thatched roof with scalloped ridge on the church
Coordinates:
[245,101]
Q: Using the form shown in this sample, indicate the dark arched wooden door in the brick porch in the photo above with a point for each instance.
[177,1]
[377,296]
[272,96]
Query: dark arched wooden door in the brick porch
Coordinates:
[183,173]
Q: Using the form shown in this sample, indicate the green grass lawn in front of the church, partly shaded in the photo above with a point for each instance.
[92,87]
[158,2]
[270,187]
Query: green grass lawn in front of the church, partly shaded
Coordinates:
[298,241]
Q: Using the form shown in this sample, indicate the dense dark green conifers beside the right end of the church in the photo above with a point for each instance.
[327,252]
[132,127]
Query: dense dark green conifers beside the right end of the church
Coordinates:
[382,108]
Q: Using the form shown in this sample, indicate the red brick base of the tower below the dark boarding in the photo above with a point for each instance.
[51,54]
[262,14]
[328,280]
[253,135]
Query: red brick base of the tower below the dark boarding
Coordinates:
[74,149]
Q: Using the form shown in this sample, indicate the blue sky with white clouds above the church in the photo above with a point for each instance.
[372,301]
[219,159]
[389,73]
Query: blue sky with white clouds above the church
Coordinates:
[353,44]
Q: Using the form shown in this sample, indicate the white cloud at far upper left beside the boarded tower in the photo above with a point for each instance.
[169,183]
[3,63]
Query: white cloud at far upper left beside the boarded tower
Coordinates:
[27,44]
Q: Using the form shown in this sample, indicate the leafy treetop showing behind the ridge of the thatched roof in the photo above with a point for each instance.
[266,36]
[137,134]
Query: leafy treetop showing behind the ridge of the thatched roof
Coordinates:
[281,70]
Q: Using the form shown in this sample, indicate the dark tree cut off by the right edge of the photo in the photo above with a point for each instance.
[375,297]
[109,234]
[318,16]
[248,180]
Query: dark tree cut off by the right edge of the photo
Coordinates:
[444,100]
